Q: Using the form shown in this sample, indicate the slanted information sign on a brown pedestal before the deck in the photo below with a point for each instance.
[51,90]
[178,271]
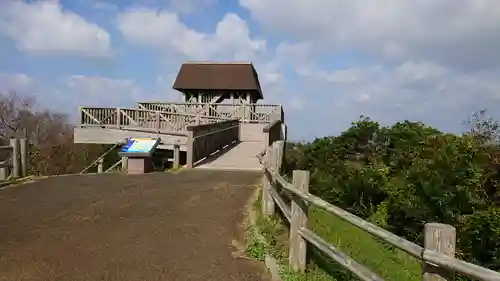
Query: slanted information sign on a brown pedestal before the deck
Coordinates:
[139,152]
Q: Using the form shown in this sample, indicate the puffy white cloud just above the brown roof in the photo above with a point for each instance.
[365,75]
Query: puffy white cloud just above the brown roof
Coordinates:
[164,30]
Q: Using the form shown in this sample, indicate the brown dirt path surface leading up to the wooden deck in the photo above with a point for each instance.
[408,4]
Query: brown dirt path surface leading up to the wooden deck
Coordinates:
[159,226]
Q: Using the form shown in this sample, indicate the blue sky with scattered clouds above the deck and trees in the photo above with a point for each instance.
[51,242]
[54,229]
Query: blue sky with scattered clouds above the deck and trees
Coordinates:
[326,61]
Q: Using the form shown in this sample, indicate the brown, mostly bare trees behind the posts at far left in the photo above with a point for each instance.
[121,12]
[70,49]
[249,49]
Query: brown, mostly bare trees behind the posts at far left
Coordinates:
[49,134]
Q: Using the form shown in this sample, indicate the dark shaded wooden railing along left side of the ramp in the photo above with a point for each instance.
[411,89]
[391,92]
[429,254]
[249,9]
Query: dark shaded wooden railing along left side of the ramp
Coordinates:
[205,140]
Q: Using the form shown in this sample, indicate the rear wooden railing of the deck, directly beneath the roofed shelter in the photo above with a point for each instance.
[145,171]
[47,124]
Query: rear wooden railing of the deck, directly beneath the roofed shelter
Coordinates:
[248,113]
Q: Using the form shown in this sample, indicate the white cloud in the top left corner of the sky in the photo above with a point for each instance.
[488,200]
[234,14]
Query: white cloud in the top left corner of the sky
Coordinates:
[44,27]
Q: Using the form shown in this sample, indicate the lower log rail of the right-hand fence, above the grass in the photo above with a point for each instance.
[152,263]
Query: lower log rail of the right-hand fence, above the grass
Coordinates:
[345,261]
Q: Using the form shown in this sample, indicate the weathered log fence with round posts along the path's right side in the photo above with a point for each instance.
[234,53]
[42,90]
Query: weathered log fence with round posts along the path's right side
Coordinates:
[437,255]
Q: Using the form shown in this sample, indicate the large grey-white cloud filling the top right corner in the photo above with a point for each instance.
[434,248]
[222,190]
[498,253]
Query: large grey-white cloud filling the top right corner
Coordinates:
[462,33]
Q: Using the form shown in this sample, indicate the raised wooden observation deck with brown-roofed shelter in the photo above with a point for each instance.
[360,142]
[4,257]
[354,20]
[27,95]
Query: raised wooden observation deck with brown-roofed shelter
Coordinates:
[214,93]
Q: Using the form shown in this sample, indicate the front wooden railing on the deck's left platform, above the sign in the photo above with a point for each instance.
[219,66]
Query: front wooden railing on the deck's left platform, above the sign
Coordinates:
[142,119]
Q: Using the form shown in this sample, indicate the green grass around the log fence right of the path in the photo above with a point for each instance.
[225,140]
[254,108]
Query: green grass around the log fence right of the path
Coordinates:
[389,263]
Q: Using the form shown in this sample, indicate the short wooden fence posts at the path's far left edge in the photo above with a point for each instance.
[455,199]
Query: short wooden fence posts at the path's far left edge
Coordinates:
[16,165]
